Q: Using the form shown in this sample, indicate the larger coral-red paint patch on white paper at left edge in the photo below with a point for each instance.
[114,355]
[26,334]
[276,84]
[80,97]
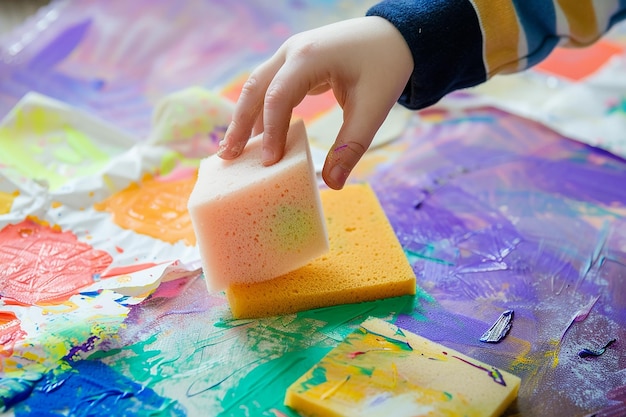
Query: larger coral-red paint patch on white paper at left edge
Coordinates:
[42,263]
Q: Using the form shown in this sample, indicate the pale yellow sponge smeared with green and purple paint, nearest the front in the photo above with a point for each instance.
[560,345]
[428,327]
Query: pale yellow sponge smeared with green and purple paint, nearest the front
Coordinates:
[382,370]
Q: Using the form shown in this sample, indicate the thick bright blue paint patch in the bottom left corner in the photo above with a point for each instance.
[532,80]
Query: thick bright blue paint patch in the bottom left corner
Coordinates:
[91,388]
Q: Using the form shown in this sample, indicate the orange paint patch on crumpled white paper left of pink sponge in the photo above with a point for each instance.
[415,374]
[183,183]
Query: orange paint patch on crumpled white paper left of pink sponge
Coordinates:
[156,208]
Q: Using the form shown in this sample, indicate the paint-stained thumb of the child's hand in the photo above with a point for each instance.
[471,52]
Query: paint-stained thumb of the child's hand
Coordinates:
[360,124]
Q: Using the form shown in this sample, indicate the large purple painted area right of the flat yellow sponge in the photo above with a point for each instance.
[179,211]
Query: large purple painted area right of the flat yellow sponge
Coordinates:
[531,222]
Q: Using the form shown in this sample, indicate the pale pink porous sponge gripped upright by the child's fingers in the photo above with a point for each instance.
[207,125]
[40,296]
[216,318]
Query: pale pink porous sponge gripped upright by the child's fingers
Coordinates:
[254,223]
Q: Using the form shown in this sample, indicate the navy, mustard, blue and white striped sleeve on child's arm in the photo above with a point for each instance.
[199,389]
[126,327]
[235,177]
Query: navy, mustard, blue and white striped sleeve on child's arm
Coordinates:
[461,43]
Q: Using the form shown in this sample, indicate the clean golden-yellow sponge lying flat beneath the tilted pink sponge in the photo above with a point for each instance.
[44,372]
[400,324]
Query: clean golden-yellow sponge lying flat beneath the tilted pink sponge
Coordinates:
[365,263]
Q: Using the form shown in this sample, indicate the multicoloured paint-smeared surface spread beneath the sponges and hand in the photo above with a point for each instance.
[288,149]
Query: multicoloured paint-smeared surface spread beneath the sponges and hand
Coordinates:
[494,212]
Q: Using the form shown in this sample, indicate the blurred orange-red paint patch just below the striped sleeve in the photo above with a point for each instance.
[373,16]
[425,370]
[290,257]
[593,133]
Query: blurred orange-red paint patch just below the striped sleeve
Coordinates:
[577,63]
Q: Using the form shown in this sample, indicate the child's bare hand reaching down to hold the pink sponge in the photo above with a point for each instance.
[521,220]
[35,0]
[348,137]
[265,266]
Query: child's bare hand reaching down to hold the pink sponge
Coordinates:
[365,61]
